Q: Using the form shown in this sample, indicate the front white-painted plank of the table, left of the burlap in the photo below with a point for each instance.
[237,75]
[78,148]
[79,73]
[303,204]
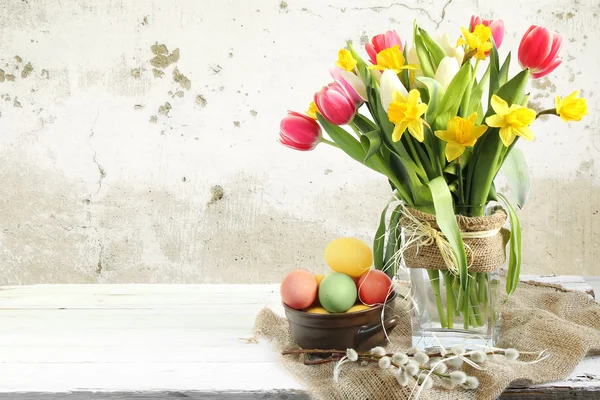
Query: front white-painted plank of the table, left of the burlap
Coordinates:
[61,377]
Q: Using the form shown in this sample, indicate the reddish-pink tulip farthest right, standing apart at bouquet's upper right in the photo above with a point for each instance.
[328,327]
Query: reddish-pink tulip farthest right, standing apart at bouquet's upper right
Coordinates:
[538,51]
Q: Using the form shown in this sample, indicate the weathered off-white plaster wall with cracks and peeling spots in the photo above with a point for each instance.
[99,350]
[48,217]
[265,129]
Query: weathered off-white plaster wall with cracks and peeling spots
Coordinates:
[148,153]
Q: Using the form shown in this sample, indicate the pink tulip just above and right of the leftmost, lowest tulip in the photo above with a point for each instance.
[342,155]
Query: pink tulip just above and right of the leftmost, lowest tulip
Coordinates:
[335,104]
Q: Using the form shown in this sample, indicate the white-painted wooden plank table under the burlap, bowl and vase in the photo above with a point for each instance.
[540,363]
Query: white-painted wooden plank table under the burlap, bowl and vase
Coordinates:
[165,342]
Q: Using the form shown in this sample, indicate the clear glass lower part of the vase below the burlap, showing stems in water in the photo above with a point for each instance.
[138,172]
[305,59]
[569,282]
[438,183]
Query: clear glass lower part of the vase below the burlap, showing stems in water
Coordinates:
[441,314]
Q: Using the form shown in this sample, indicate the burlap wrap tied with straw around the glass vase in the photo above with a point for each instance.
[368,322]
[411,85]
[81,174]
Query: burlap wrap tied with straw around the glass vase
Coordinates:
[483,254]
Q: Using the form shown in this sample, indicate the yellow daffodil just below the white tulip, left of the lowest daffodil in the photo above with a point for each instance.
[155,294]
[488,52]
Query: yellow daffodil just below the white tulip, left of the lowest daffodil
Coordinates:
[405,112]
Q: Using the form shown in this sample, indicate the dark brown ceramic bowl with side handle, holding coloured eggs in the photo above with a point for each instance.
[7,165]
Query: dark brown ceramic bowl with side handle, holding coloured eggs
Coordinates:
[361,330]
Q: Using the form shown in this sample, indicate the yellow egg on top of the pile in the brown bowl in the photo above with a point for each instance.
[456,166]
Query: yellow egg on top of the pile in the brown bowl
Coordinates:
[349,256]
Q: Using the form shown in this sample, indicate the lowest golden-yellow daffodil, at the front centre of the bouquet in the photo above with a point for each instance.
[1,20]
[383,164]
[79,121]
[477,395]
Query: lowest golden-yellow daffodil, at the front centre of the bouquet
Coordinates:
[461,133]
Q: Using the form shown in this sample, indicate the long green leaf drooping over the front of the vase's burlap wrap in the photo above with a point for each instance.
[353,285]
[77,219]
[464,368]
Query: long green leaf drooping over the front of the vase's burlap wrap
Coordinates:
[446,220]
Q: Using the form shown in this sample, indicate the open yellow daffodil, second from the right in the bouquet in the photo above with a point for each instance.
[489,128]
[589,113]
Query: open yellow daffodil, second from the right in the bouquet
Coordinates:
[513,121]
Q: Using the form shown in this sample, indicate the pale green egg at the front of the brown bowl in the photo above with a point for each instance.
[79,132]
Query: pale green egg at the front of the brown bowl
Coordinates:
[337,293]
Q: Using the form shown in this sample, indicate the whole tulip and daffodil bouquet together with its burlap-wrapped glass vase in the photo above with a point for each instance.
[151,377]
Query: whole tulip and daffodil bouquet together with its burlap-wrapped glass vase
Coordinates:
[440,120]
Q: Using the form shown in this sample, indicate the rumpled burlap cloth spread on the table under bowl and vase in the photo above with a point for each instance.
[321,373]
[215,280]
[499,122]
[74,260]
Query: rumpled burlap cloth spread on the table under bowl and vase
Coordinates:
[536,317]
